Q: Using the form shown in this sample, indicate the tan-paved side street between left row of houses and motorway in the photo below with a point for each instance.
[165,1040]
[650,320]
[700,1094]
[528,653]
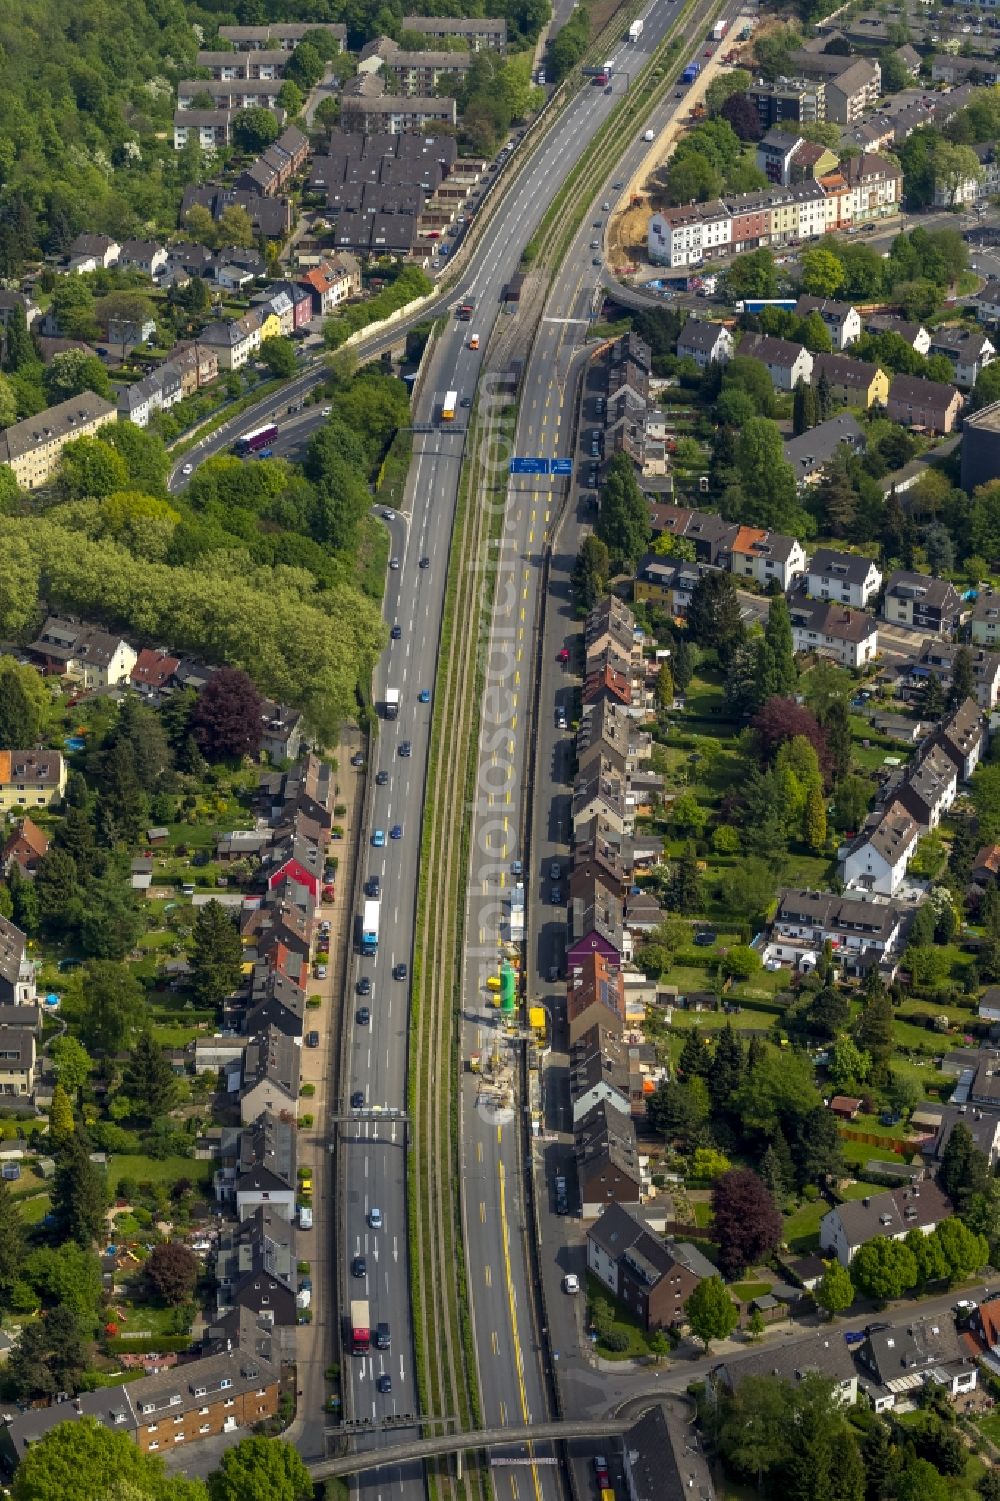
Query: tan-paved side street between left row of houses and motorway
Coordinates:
[316,1341]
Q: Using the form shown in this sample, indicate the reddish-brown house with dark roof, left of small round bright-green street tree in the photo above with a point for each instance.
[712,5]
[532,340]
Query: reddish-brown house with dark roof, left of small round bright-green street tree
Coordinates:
[652,1278]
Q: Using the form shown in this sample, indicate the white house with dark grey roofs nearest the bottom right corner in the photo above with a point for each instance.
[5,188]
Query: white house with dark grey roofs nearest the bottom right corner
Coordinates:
[900,1361]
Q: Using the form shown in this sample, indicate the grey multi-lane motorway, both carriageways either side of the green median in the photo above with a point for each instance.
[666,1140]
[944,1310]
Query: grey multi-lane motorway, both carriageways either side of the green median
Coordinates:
[373,1163]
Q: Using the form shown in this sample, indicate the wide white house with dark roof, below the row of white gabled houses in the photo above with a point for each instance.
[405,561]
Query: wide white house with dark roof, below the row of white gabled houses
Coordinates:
[863,933]
